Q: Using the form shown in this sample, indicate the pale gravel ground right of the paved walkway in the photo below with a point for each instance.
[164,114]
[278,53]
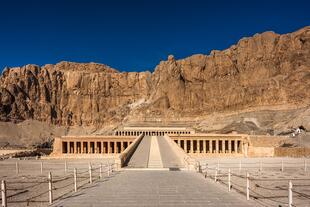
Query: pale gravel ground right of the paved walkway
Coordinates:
[268,183]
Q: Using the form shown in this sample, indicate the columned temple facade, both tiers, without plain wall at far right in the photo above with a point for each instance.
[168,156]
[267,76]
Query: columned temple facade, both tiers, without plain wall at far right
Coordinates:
[186,139]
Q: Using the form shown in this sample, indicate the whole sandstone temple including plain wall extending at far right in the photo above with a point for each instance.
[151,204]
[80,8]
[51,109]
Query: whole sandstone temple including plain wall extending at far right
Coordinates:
[184,141]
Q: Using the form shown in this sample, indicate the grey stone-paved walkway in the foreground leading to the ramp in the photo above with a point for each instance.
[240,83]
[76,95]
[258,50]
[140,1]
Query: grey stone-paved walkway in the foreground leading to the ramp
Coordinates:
[155,188]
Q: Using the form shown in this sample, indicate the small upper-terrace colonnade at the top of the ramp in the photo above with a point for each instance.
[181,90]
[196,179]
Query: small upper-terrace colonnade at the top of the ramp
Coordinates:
[151,132]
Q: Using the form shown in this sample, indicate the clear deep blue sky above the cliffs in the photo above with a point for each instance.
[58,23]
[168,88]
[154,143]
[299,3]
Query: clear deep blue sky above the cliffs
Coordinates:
[132,35]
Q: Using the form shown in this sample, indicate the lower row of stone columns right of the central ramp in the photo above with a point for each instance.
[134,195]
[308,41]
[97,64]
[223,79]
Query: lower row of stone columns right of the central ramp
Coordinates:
[211,145]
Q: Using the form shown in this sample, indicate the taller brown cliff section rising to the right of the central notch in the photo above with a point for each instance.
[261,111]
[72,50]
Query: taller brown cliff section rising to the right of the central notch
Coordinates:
[267,69]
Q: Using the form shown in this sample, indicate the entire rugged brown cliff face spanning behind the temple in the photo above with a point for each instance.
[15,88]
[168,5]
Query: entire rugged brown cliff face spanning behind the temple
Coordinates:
[266,69]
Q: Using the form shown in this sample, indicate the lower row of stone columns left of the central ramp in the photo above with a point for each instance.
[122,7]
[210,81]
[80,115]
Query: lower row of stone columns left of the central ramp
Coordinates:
[94,146]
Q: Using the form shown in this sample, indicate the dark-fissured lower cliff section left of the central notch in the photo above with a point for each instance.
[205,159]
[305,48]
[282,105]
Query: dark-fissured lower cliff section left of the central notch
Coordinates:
[69,93]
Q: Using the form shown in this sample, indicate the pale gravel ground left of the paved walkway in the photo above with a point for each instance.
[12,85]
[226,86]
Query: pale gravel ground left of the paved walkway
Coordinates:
[29,187]
